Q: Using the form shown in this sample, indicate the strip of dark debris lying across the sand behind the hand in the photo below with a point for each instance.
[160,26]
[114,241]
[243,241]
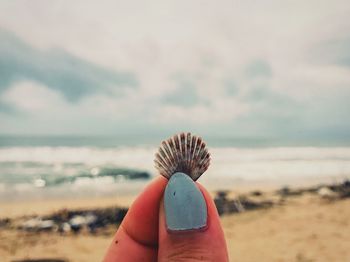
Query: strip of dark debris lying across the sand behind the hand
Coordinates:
[93,220]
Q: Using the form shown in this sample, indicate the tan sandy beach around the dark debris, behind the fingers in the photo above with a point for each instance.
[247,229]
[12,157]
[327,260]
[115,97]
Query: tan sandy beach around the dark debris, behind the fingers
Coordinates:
[304,228]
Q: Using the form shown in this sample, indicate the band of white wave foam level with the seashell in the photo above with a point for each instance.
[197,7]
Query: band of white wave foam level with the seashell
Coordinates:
[233,163]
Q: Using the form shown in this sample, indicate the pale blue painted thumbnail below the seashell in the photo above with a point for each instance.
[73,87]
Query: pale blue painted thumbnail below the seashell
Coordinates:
[185,207]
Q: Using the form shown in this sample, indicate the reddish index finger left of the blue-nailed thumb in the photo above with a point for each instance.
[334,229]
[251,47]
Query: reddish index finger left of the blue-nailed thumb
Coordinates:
[137,236]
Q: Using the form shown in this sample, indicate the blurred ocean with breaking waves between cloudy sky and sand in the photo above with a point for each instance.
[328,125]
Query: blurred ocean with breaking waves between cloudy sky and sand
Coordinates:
[51,167]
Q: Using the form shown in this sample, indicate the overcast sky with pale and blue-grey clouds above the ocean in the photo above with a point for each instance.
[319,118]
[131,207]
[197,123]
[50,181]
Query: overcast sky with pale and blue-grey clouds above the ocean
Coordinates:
[218,68]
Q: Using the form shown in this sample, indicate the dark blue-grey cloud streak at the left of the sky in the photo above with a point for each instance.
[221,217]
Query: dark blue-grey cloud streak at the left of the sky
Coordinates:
[57,69]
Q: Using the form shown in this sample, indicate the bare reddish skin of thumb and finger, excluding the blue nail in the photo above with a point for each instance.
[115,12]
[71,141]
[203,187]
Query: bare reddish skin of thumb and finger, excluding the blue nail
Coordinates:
[143,235]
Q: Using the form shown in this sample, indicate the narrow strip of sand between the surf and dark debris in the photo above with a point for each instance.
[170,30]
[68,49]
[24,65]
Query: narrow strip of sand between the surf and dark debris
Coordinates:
[42,205]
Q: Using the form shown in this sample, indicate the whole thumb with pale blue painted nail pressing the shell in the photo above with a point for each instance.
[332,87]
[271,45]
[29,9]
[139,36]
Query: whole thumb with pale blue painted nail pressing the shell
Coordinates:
[189,225]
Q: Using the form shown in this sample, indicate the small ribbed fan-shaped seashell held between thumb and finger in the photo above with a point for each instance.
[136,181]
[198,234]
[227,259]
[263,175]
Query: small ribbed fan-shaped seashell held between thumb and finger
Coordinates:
[182,153]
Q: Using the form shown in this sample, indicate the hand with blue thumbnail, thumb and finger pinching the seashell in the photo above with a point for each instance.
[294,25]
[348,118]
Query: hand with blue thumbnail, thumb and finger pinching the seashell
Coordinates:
[144,234]
